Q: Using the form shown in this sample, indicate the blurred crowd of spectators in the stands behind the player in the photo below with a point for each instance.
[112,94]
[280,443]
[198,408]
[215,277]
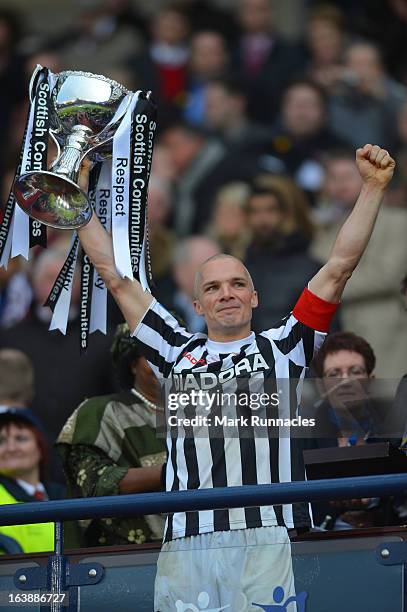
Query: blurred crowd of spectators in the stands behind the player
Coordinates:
[261,105]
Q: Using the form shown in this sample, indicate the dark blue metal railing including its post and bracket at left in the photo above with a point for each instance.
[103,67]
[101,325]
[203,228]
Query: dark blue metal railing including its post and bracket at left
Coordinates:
[61,578]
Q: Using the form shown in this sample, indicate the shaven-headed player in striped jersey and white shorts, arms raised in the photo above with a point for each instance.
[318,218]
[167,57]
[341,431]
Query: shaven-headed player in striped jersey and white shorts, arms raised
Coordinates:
[237,556]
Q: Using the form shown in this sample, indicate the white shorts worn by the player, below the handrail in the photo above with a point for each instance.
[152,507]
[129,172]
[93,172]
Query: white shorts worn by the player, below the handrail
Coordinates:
[226,570]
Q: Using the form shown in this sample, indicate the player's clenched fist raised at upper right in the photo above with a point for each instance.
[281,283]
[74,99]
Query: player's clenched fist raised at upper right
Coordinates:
[375,165]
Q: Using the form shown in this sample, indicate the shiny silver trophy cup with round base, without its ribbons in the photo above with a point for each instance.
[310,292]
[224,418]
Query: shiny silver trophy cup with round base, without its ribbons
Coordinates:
[86,110]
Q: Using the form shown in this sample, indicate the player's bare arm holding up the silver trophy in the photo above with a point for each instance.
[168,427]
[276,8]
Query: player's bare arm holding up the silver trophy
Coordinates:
[132,300]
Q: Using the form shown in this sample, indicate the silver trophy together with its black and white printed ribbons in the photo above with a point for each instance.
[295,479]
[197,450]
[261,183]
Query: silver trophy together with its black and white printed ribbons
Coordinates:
[85,115]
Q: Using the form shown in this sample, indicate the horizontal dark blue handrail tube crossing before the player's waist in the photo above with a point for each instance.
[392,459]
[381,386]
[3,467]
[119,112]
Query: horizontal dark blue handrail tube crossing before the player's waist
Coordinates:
[203,499]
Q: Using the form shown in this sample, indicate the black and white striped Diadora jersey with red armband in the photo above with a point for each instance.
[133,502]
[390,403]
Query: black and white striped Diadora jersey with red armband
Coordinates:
[200,458]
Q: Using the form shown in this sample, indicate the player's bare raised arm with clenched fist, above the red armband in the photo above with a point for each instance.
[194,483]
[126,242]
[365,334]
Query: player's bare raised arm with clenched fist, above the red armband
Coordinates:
[376,168]
